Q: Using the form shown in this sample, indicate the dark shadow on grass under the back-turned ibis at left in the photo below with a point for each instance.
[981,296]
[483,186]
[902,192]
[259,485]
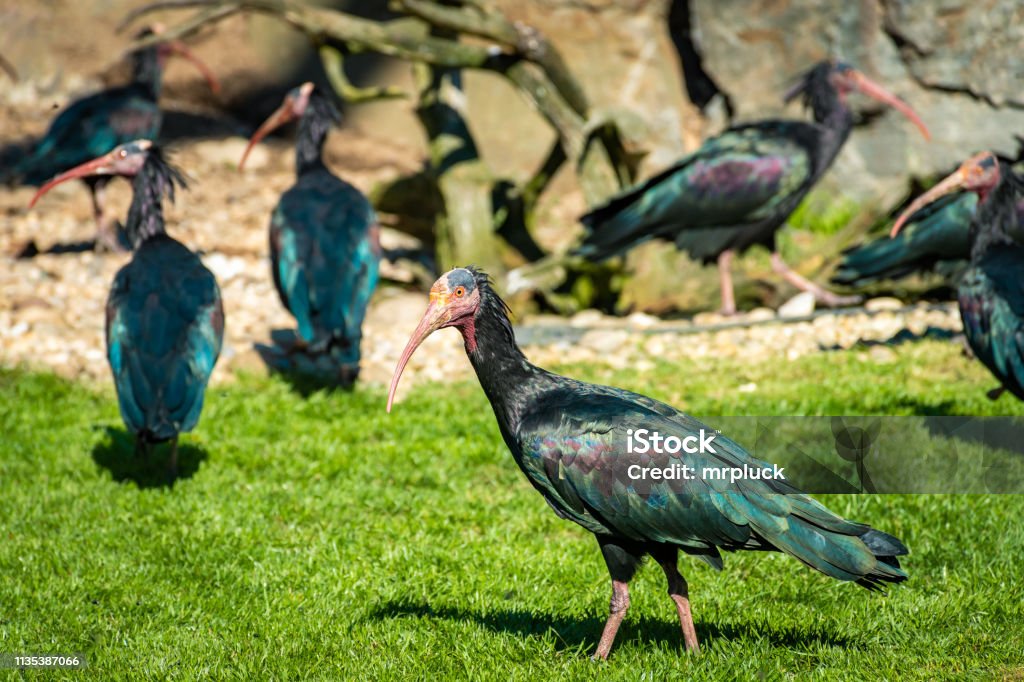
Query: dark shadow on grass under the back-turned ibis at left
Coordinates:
[117,455]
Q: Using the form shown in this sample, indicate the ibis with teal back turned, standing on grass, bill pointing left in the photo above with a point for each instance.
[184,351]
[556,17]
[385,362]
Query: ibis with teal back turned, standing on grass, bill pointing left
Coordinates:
[165,319]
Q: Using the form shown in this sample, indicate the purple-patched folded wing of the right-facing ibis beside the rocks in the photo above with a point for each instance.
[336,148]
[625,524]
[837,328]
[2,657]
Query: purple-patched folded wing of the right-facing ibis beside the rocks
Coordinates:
[741,178]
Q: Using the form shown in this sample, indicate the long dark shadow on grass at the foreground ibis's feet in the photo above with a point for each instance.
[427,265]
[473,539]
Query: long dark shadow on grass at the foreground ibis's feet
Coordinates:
[583,634]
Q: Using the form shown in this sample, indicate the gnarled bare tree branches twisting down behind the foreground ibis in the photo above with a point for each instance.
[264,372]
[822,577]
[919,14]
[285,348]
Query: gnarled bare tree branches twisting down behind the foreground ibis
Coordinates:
[475,202]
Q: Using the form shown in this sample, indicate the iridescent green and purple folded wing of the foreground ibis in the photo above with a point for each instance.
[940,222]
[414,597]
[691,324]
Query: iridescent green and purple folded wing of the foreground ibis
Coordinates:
[575,451]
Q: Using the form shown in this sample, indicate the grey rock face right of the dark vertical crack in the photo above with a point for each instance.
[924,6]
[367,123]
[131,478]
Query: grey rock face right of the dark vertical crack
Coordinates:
[959,64]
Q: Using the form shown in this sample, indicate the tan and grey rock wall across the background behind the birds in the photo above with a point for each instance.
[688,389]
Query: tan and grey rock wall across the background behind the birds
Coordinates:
[674,71]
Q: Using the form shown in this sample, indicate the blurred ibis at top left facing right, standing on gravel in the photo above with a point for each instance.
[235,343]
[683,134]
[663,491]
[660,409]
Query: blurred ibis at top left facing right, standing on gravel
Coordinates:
[96,124]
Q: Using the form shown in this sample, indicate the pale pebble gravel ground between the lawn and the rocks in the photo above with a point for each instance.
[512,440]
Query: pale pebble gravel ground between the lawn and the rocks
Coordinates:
[52,306]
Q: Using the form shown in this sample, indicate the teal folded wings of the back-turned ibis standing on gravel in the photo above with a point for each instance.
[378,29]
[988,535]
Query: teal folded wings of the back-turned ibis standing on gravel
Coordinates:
[326,257]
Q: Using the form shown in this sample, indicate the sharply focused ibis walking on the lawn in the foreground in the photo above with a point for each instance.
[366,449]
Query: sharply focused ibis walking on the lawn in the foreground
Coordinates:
[573,442]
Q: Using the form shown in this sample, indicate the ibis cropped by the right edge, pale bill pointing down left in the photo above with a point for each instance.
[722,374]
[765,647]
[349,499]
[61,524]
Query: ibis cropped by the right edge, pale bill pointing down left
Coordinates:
[991,293]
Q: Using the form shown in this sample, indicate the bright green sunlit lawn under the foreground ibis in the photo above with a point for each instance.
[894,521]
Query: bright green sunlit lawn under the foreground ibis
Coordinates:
[320,538]
